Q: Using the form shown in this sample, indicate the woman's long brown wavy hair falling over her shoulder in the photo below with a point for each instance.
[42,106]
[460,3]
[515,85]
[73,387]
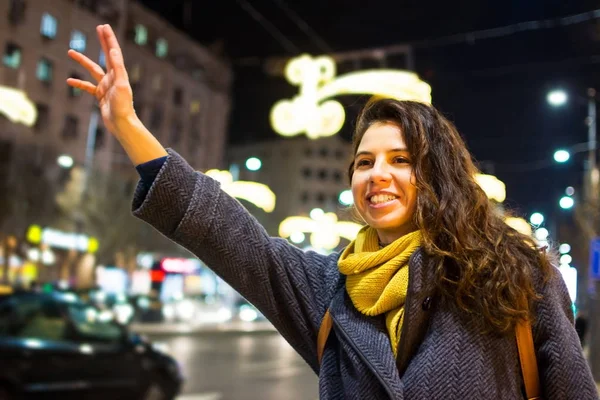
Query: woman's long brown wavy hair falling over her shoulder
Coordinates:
[484,267]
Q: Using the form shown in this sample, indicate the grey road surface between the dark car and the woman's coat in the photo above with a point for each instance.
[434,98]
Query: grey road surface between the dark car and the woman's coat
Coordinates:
[252,366]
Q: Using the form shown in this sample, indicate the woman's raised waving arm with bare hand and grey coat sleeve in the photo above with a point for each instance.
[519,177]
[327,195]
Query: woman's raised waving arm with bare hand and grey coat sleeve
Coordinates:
[289,286]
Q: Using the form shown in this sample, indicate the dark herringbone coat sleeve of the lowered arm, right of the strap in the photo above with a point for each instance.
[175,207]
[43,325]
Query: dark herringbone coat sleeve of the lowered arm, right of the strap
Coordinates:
[564,371]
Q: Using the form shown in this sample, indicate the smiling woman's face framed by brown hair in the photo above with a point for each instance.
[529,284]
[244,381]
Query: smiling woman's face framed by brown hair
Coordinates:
[383,182]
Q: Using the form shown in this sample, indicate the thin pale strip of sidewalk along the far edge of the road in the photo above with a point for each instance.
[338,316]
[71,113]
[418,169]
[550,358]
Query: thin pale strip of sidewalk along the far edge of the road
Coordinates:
[181,328]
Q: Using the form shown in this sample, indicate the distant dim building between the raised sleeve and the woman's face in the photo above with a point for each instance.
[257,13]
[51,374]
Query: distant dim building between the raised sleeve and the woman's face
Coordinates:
[304,174]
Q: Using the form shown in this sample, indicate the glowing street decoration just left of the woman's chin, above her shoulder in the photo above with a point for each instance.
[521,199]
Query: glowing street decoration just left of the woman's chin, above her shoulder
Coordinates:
[325,231]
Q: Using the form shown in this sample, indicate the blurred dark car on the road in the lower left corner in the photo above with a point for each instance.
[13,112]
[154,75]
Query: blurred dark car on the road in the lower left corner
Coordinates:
[53,345]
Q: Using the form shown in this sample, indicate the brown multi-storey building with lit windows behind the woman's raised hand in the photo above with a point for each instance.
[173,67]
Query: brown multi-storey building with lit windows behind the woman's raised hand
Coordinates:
[181,93]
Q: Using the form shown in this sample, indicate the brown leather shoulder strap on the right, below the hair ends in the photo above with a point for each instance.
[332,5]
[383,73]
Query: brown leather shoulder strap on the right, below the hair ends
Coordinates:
[529,369]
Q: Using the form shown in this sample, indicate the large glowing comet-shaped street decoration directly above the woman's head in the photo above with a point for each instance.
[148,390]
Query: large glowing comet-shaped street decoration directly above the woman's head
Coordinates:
[312,113]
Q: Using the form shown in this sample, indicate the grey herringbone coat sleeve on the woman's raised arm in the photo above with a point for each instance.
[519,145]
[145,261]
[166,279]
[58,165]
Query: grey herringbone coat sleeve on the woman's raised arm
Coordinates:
[288,285]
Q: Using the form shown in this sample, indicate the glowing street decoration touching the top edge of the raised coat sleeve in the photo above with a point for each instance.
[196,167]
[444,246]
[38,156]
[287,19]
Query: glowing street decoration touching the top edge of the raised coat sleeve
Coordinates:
[256,193]
